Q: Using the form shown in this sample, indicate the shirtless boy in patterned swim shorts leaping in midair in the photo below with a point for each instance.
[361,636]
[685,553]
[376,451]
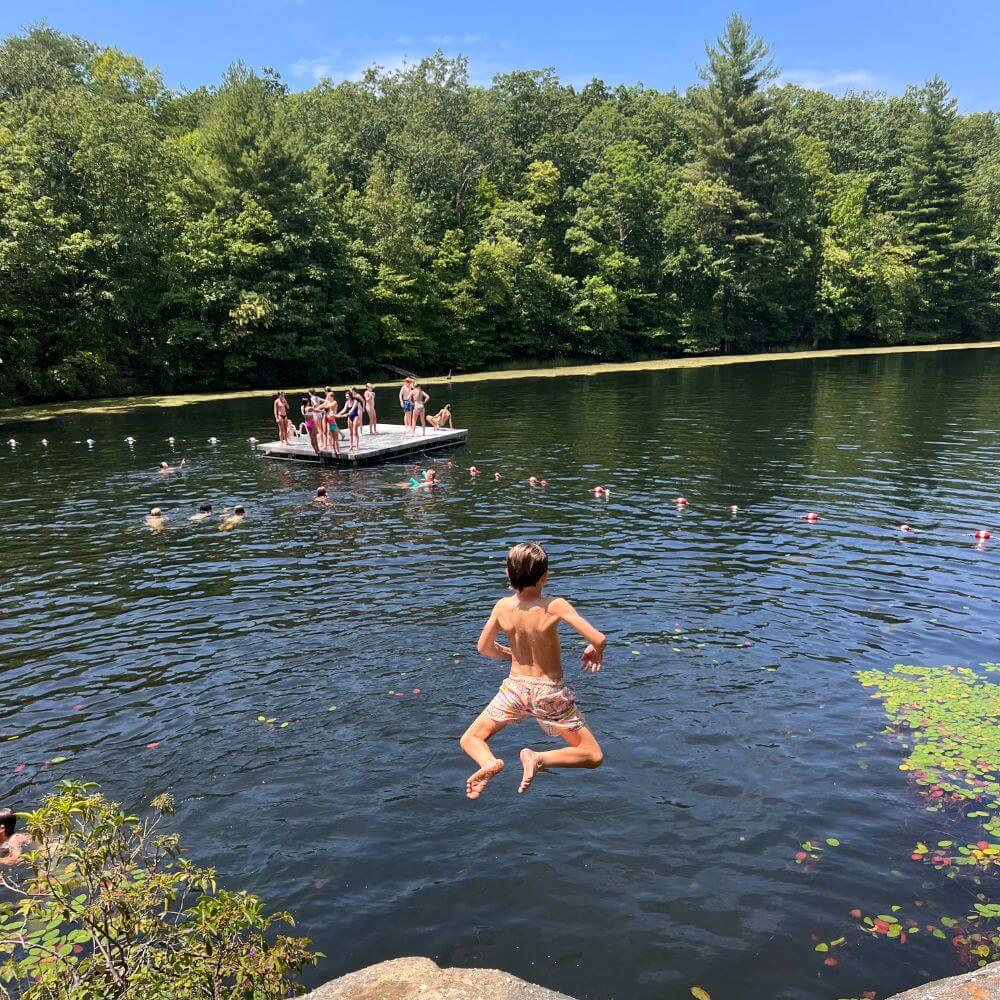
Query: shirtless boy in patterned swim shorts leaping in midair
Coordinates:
[536,686]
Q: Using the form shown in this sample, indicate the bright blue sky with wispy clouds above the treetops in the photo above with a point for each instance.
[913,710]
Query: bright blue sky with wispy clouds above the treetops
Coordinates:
[834,44]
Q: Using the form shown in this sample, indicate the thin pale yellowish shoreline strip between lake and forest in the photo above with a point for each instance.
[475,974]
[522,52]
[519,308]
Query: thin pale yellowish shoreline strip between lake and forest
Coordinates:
[126,404]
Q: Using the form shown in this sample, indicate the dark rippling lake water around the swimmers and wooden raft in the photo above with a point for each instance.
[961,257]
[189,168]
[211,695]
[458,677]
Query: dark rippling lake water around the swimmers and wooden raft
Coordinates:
[732,724]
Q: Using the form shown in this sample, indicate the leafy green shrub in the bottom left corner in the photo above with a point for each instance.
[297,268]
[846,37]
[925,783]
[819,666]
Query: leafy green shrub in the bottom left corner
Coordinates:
[107,908]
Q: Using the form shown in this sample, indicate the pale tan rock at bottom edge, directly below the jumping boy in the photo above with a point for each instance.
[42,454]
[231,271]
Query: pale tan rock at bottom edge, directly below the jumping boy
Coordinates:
[422,979]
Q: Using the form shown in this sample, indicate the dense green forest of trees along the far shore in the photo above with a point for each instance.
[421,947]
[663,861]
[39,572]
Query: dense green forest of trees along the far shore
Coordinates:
[247,235]
